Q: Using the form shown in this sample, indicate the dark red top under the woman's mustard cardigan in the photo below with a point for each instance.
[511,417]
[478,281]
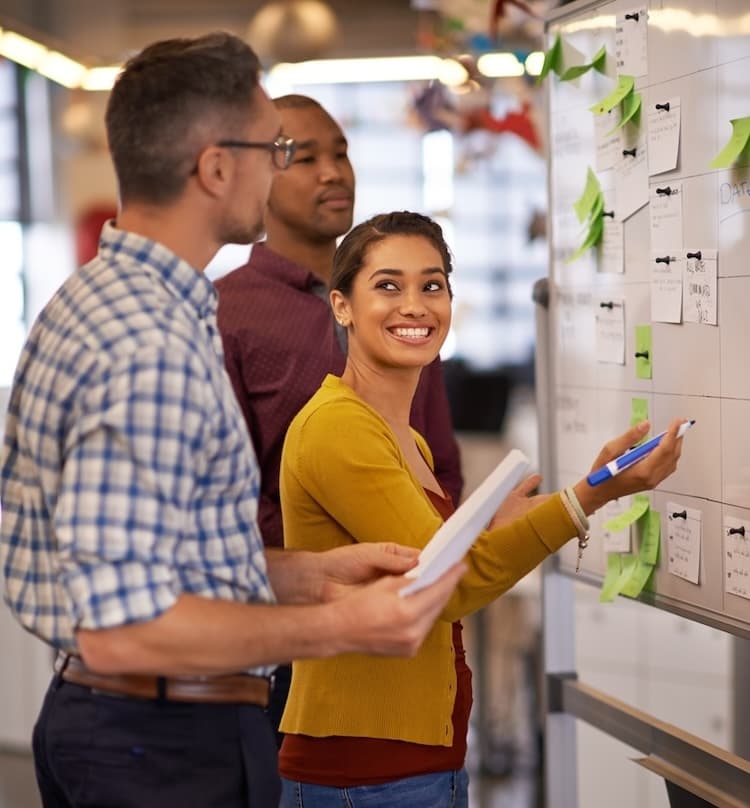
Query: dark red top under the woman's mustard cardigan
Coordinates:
[342,761]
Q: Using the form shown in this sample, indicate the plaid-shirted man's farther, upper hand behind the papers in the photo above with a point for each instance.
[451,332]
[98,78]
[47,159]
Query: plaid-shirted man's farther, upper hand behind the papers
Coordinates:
[343,568]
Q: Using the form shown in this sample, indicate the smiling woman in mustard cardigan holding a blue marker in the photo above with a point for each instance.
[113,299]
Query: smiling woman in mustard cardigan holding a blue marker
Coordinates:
[393,732]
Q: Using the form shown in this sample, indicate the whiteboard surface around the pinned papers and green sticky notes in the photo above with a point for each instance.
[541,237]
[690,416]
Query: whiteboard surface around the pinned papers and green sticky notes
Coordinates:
[698,55]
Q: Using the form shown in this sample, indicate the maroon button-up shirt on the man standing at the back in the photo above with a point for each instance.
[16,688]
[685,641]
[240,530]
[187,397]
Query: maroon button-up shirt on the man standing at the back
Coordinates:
[279,344]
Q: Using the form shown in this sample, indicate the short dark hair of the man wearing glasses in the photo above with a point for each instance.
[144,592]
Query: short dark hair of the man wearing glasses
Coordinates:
[170,101]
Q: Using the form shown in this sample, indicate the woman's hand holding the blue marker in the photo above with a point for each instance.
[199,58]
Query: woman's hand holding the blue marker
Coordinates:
[641,476]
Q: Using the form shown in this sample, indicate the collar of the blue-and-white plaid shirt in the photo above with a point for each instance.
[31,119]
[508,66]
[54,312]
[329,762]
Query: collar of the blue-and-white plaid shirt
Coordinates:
[180,278]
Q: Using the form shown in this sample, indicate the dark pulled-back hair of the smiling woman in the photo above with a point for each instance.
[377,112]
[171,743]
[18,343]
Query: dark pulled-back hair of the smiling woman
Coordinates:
[352,252]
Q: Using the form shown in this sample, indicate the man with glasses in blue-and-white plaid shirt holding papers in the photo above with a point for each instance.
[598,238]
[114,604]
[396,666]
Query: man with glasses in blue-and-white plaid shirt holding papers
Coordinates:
[129,487]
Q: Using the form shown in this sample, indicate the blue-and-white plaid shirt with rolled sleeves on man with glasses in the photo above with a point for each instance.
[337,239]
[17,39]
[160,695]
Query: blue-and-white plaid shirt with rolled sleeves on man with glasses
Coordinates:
[127,473]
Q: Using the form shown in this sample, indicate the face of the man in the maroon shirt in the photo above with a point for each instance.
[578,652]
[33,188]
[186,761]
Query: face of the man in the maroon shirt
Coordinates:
[313,199]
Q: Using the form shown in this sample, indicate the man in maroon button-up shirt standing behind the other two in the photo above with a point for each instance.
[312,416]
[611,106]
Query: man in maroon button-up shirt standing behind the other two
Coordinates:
[280,338]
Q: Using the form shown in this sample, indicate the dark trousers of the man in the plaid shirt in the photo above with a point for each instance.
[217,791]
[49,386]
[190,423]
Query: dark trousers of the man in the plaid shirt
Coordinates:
[93,750]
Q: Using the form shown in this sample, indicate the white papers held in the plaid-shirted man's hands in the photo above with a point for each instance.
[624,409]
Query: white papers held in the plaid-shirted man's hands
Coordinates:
[456,535]
